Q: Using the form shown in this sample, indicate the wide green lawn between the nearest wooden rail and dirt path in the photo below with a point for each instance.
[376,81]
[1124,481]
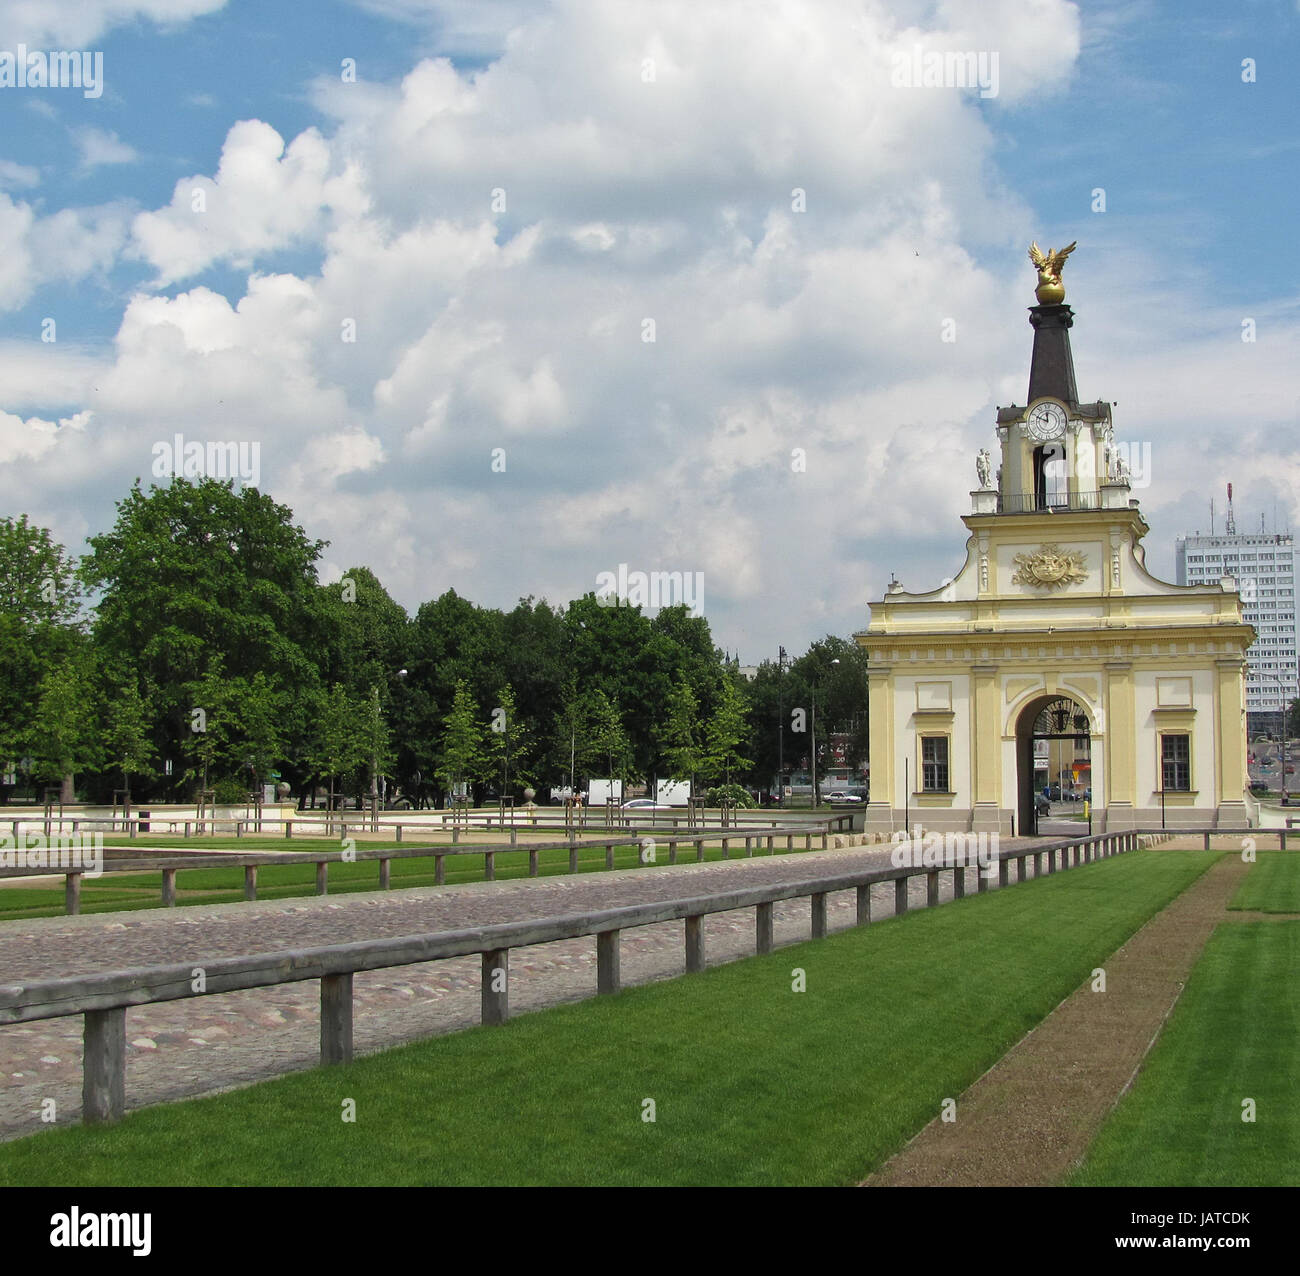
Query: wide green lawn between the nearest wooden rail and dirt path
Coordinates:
[753,1083]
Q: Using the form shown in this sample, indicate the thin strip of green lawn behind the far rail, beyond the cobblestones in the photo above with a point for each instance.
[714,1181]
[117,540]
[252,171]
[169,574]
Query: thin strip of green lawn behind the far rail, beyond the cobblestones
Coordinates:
[283,882]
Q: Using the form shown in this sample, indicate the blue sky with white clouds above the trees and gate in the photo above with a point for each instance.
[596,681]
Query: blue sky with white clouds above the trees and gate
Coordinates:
[506,294]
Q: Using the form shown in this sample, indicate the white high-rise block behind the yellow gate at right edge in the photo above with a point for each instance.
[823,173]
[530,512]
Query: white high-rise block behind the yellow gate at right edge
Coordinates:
[1263,565]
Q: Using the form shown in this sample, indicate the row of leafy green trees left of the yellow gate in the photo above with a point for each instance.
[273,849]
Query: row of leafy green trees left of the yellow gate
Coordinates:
[194,649]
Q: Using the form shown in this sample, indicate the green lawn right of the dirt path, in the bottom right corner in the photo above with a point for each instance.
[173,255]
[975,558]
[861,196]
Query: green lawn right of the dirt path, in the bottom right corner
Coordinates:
[1233,1036]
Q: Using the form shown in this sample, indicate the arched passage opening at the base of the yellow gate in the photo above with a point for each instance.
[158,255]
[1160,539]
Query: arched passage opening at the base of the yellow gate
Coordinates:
[1054,757]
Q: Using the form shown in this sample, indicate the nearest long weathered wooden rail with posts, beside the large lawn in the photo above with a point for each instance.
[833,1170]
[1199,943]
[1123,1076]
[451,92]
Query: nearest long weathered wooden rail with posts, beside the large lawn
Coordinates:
[103,1000]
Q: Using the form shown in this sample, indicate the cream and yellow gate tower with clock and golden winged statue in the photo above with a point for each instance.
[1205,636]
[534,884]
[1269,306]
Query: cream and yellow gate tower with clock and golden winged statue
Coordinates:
[1055,666]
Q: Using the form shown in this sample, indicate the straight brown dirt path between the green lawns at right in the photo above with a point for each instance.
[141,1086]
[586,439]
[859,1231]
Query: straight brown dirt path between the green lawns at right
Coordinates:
[1032,1117]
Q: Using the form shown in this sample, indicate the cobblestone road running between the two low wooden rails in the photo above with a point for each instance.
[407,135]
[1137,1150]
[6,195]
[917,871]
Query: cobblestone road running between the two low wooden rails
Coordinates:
[206,1044]
